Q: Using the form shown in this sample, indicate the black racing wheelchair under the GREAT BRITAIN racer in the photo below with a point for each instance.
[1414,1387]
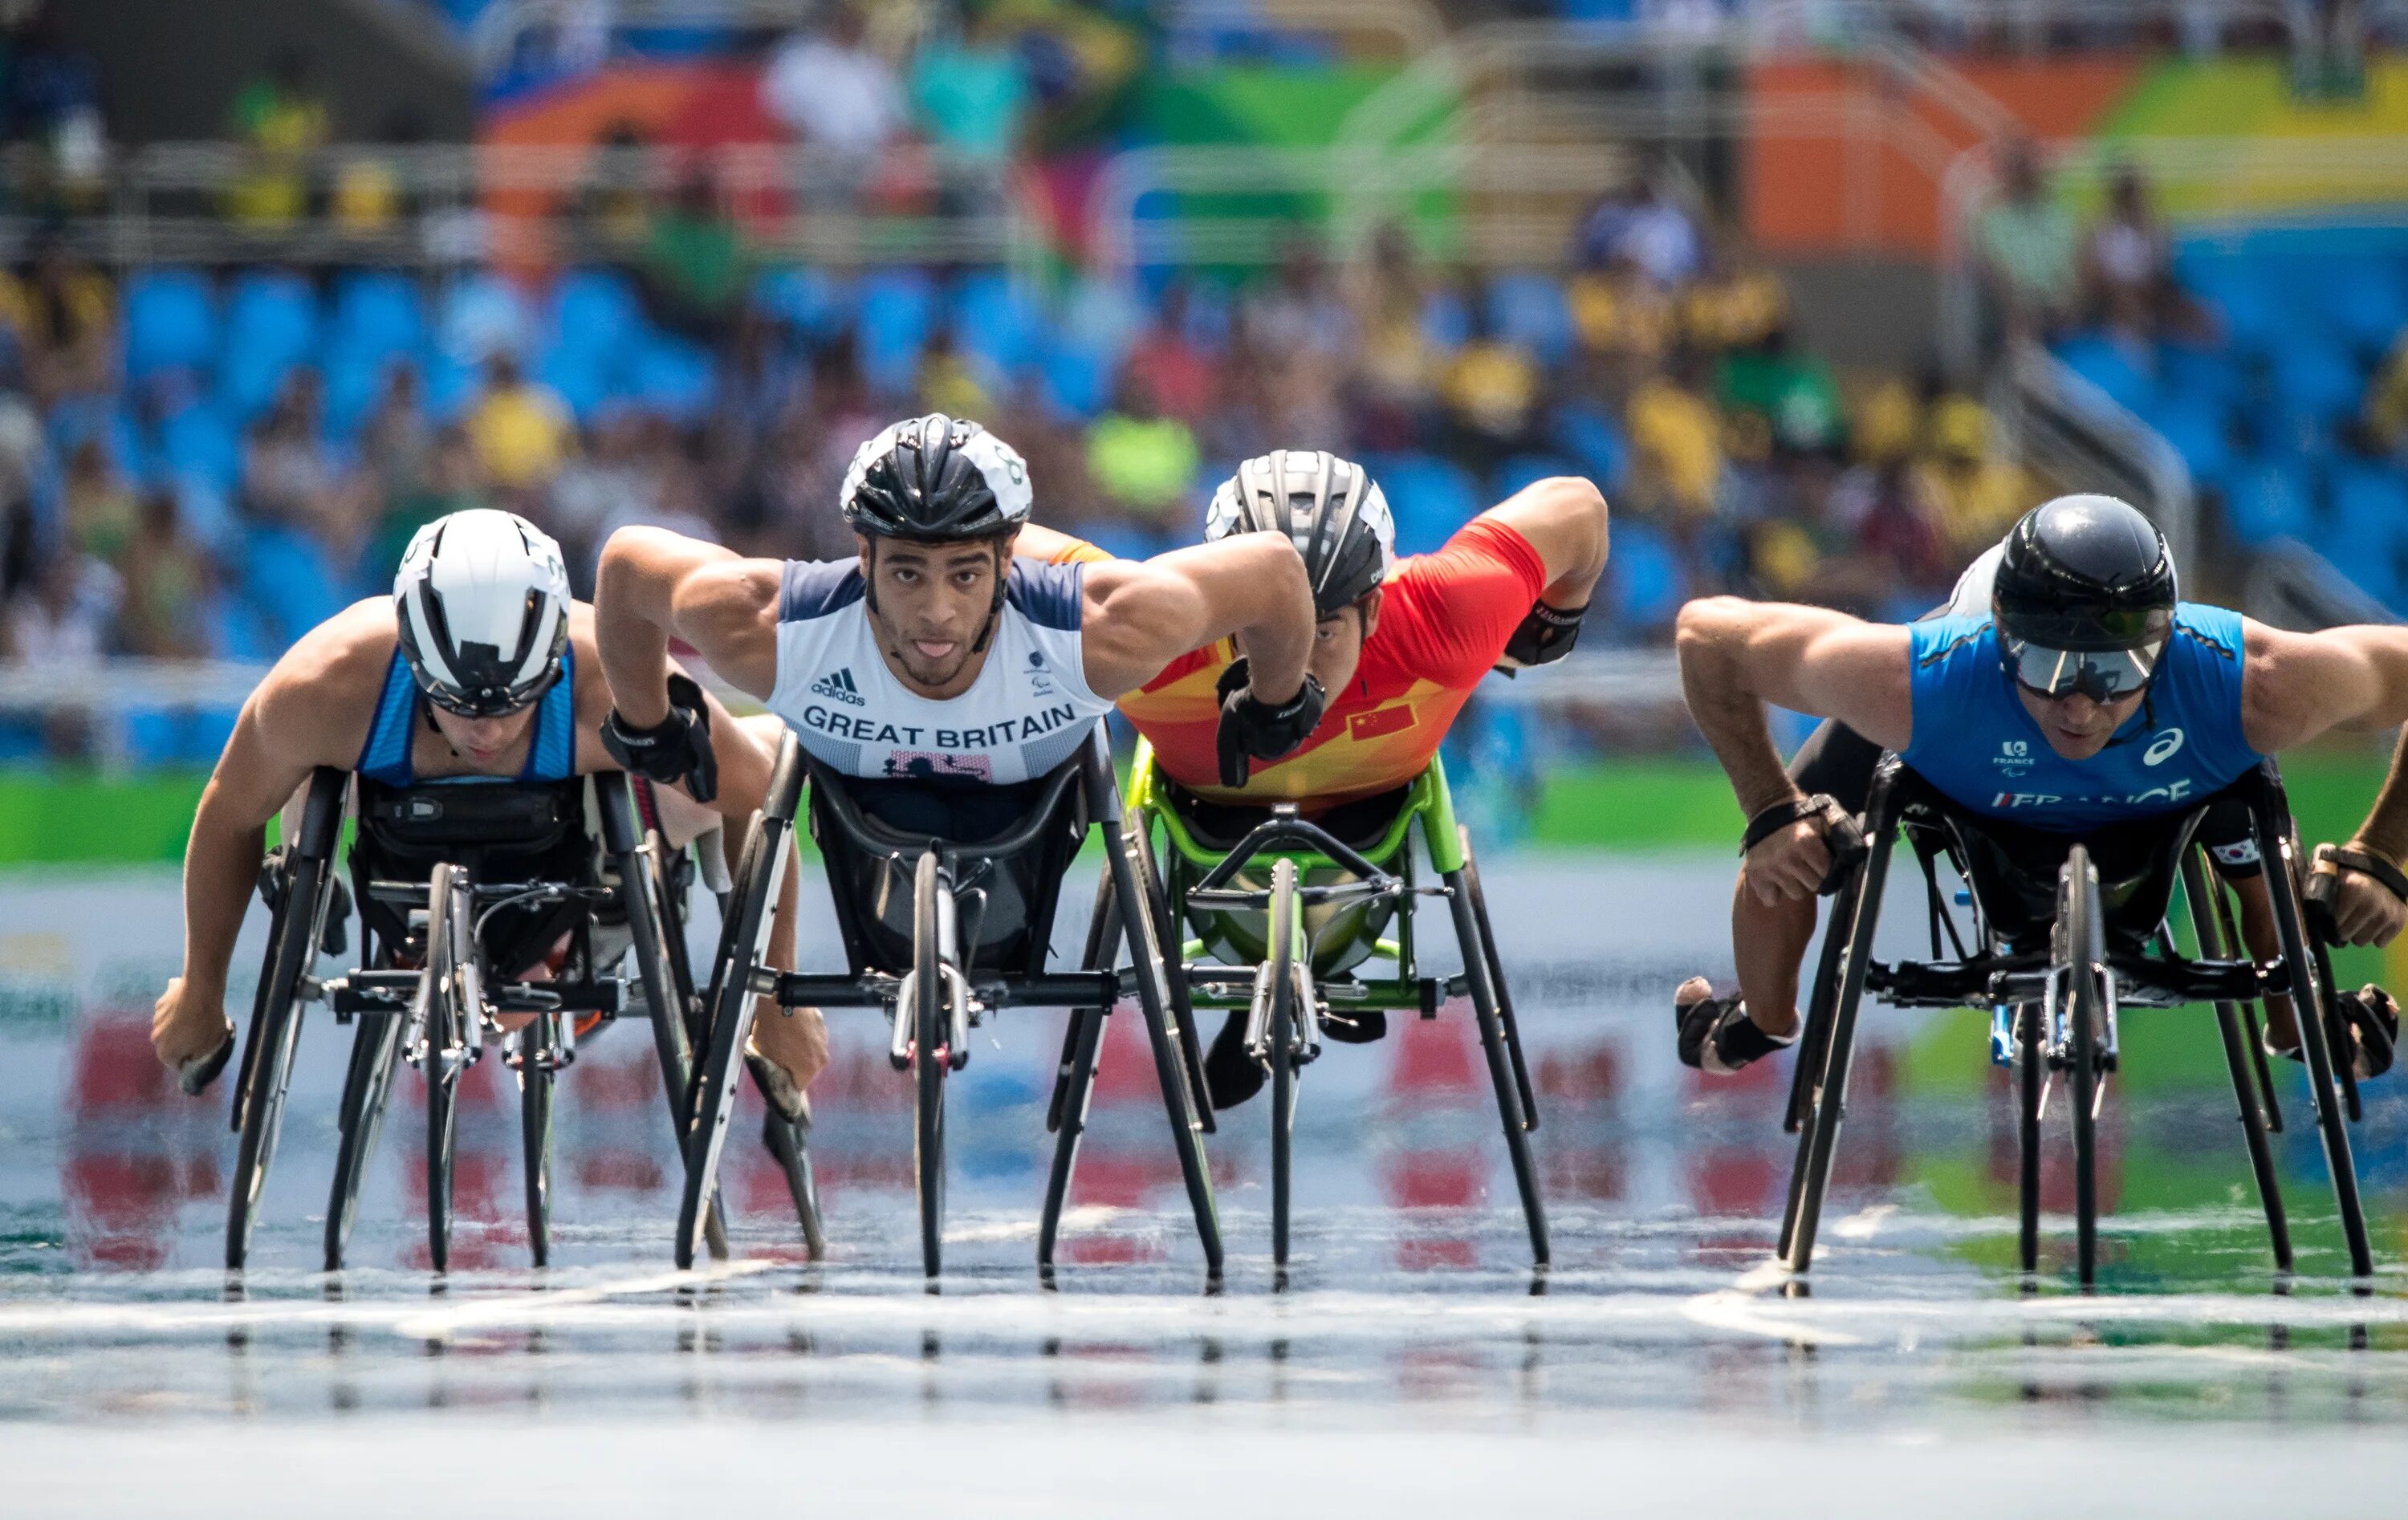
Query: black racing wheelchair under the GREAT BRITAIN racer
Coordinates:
[945,902]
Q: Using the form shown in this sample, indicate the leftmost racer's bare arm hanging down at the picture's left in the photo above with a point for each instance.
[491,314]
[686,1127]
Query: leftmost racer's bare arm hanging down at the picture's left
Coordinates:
[314,709]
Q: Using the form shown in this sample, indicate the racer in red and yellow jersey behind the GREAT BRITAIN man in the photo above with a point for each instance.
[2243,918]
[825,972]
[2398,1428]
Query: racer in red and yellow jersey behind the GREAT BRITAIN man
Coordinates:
[1400,644]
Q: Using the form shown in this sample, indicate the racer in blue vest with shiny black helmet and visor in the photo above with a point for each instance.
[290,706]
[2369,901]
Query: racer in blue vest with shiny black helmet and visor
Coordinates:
[2082,705]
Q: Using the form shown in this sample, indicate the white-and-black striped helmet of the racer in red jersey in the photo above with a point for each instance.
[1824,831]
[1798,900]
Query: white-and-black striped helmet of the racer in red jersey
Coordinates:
[1330,507]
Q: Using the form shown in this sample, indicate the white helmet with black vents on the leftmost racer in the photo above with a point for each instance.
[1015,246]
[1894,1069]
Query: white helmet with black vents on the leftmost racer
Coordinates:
[483,601]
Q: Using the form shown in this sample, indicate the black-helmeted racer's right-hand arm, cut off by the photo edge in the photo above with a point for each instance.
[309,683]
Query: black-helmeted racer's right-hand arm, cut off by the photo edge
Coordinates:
[2303,685]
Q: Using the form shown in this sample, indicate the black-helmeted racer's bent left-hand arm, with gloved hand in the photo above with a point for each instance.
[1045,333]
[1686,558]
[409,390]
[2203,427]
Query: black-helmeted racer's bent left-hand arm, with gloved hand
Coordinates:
[1740,656]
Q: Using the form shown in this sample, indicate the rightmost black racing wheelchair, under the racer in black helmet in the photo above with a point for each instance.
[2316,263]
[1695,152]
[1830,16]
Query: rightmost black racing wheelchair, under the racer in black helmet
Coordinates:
[2058,955]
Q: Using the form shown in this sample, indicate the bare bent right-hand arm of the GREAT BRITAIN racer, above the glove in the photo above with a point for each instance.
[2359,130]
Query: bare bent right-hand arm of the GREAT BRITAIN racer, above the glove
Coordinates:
[1143,615]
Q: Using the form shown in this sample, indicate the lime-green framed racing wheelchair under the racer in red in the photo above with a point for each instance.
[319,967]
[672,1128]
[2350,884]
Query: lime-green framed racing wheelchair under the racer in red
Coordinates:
[1309,972]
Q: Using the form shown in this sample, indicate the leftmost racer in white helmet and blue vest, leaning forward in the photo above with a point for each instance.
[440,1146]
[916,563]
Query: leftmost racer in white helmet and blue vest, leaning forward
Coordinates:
[478,666]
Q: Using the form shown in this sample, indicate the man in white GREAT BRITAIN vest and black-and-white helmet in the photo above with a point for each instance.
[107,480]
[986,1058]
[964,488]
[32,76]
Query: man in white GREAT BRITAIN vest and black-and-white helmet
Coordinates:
[936,656]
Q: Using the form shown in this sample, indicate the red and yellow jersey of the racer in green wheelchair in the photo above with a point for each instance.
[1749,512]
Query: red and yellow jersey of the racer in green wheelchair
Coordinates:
[1444,625]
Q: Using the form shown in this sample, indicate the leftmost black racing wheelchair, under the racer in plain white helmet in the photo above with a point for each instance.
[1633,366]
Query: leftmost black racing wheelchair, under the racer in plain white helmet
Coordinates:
[439,1013]
